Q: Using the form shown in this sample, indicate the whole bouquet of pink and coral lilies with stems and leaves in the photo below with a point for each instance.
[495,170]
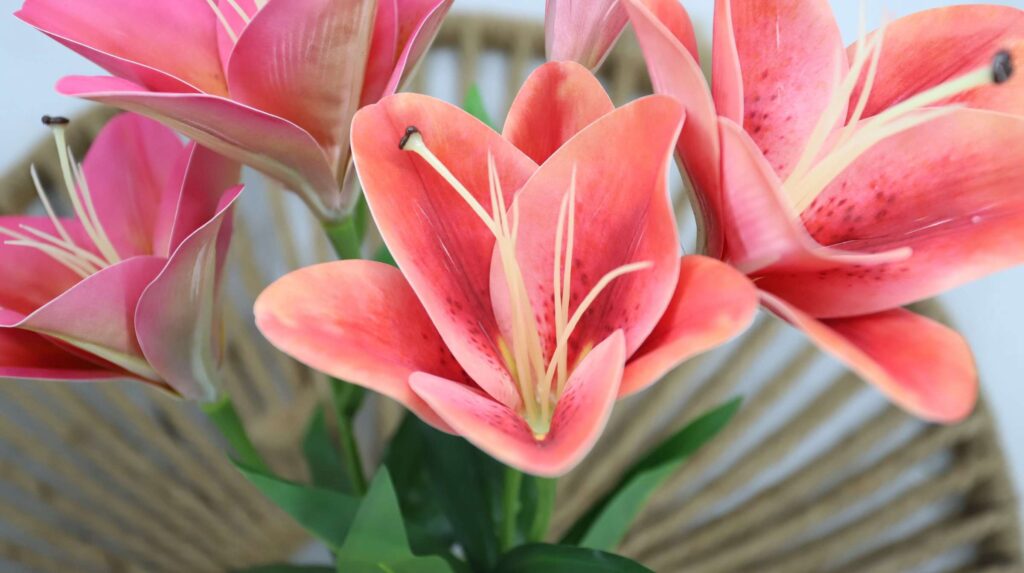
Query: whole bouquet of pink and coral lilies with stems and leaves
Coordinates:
[529,278]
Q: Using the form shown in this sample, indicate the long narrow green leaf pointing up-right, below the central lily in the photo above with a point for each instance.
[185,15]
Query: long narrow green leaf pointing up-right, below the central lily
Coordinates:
[606,525]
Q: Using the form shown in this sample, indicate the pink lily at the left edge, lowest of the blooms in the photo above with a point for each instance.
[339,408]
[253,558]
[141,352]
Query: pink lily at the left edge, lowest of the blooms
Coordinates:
[127,288]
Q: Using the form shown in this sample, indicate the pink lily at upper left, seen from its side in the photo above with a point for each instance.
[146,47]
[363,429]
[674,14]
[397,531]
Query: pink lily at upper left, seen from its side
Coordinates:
[270,83]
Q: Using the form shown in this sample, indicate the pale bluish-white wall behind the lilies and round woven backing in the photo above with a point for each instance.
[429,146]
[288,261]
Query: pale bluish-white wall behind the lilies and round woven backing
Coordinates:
[990,313]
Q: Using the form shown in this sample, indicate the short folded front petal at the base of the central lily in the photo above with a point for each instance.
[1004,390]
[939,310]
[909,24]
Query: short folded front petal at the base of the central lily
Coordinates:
[579,419]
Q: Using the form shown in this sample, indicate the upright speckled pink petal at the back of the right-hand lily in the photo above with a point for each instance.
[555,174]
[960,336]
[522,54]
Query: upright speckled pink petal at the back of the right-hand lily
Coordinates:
[793,59]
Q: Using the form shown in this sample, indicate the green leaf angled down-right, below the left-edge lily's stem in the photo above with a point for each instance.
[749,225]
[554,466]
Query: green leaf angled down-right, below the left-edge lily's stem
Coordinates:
[324,513]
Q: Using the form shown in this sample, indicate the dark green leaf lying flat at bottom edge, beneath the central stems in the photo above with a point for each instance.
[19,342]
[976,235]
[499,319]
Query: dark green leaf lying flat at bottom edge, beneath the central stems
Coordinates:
[540,558]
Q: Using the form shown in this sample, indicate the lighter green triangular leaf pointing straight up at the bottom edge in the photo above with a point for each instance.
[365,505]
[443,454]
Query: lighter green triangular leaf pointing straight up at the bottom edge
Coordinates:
[377,541]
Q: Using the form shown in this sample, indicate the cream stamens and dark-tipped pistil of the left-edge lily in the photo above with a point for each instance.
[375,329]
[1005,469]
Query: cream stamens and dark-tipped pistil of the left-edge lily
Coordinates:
[62,248]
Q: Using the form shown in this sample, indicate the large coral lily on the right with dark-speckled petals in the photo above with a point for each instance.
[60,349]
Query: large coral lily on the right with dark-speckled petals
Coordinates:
[850,183]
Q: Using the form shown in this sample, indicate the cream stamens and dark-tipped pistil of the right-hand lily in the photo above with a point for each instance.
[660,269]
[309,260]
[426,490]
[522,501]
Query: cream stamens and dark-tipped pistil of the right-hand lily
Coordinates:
[818,167]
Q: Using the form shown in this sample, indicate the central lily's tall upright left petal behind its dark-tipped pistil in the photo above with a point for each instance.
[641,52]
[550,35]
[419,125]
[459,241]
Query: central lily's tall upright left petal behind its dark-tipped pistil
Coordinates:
[441,245]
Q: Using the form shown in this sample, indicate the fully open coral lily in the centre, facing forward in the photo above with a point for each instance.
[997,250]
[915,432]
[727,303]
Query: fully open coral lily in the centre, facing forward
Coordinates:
[528,298]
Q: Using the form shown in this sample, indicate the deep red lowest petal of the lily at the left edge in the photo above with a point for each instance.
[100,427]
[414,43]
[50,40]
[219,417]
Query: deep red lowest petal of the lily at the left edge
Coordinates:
[28,356]
